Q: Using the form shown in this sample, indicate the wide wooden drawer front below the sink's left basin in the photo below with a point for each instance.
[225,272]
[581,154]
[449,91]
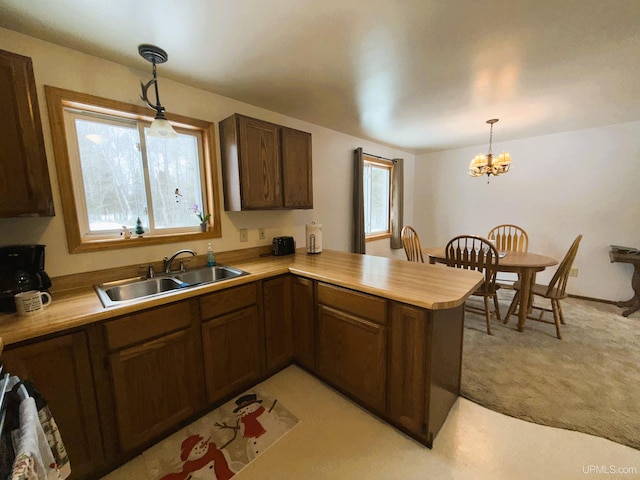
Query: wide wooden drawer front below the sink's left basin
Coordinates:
[141,326]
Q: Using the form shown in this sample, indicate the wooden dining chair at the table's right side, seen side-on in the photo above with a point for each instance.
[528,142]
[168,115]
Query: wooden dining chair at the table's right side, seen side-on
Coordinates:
[554,291]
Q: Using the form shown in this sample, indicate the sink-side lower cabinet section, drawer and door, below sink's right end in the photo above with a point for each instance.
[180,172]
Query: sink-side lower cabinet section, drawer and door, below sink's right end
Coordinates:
[232,342]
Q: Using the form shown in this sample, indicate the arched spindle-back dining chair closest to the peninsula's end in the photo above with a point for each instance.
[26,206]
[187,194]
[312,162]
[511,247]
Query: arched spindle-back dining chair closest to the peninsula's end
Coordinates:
[471,252]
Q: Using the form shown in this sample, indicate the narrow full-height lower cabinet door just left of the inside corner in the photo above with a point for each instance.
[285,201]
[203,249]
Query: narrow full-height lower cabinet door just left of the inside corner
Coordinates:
[277,322]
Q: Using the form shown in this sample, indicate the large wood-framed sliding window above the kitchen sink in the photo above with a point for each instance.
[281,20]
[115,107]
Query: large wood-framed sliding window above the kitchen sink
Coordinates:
[117,177]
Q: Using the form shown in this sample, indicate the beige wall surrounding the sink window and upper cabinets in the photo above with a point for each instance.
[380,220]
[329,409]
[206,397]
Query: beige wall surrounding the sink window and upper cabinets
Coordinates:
[332,154]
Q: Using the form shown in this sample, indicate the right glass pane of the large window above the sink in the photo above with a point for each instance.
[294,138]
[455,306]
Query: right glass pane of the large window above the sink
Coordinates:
[174,175]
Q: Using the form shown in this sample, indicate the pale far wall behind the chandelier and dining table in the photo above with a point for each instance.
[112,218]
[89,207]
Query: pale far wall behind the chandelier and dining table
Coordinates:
[560,185]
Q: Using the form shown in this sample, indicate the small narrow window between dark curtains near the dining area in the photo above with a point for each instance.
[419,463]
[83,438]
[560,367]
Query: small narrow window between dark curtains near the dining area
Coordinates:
[377,177]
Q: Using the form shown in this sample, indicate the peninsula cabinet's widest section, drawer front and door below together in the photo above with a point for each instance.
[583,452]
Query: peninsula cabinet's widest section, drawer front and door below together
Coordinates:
[352,348]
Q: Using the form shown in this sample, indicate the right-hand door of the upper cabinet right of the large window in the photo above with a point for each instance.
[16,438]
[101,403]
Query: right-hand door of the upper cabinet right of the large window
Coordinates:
[296,169]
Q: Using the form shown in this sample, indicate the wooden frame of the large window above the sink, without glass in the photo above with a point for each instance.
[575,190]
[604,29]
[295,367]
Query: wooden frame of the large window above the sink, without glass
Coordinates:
[62,106]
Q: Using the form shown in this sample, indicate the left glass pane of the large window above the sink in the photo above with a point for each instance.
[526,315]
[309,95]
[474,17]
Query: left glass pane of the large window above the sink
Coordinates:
[112,173]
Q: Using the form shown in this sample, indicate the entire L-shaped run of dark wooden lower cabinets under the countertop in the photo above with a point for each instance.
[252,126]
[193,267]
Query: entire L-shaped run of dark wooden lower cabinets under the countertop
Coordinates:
[117,386]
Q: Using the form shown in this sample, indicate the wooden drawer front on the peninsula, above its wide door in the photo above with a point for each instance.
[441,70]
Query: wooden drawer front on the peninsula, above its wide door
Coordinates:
[360,304]
